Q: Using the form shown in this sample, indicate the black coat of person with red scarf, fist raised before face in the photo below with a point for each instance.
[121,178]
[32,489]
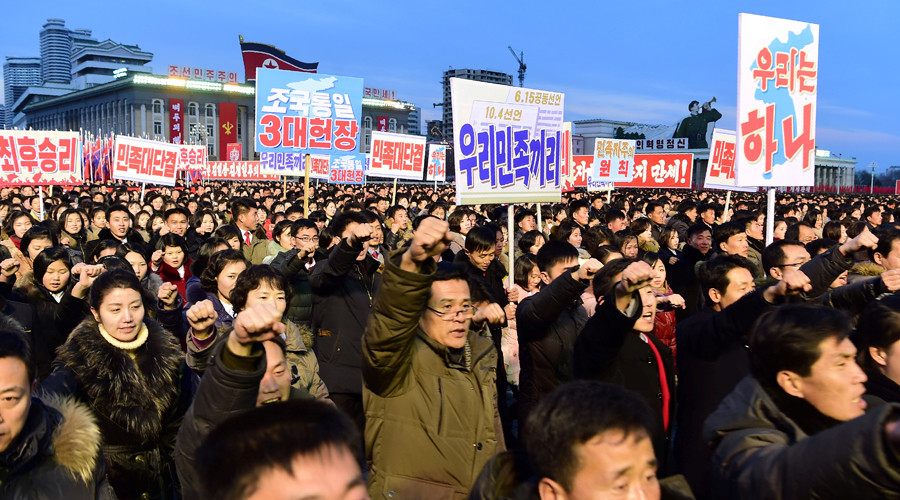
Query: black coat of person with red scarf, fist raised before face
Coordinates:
[609,350]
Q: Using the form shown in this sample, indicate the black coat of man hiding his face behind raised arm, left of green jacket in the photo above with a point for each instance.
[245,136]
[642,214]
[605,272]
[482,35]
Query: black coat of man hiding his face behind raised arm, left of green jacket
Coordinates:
[343,293]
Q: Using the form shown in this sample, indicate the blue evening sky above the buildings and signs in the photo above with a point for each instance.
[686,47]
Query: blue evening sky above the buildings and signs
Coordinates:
[632,61]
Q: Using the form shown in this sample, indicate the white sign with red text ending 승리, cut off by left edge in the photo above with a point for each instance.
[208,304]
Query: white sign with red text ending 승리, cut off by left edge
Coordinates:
[37,157]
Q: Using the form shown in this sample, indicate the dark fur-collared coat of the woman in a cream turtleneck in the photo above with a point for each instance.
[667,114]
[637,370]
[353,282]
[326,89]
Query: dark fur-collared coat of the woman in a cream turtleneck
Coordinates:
[138,403]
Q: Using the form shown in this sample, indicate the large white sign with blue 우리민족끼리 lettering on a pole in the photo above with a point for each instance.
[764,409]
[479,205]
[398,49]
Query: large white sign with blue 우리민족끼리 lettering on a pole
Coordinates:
[507,143]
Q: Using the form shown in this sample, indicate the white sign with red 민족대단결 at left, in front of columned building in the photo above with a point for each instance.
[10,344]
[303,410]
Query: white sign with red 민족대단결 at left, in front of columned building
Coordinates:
[143,160]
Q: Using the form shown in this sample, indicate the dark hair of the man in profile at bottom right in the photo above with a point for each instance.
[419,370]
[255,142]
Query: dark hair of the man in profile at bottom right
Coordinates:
[788,338]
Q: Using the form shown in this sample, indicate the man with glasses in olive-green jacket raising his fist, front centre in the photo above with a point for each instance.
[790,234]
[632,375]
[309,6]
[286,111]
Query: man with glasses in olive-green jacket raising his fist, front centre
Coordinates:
[429,379]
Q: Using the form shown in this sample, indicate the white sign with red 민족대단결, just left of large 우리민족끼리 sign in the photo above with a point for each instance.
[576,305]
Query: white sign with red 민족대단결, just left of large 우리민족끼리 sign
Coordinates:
[397,156]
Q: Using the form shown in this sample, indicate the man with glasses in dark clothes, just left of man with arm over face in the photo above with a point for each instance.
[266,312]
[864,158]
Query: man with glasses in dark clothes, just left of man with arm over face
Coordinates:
[296,265]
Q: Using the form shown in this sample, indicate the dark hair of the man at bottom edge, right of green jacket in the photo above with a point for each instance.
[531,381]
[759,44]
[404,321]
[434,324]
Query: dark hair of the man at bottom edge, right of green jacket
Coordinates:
[570,416]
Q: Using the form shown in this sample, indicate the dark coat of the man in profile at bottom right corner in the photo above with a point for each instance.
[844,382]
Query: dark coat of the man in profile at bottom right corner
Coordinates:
[761,454]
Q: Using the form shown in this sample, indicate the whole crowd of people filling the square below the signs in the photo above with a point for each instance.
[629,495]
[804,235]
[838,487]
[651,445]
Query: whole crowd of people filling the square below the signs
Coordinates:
[233,340]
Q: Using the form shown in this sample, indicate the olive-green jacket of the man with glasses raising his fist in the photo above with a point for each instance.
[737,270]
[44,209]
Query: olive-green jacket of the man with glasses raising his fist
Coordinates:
[431,424]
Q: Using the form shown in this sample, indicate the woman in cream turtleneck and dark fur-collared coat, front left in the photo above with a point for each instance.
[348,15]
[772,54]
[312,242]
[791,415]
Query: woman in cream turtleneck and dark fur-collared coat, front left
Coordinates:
[127,368]
